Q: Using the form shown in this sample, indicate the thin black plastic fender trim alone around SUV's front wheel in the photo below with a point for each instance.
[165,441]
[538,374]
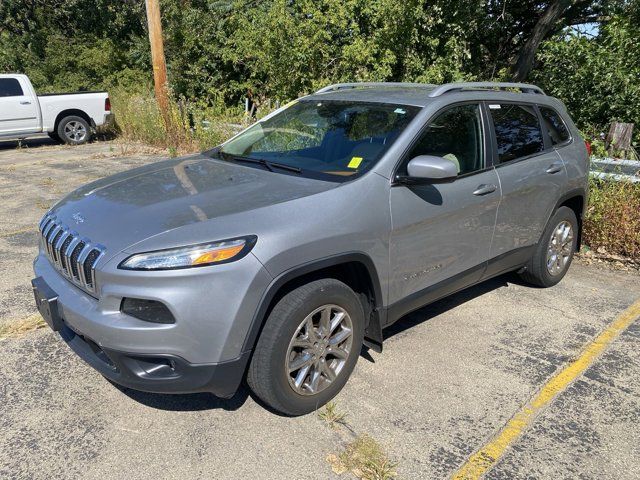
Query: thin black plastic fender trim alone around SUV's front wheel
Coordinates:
[373,330]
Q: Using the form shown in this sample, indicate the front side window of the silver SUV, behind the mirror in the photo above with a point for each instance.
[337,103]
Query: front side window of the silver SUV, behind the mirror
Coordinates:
[456,135]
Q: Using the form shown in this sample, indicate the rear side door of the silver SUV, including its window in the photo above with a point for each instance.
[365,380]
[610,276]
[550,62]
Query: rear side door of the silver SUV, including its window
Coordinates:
[531,174]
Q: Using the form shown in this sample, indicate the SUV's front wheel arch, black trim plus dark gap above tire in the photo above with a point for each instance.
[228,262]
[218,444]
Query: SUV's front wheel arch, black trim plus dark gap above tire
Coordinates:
[355,269]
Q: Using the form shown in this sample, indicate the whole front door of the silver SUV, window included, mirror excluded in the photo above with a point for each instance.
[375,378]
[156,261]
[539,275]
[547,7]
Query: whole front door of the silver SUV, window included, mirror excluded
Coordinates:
[442,232]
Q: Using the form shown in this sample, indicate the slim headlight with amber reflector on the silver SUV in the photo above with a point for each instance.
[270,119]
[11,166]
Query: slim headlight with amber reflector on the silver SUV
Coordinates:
[191,256]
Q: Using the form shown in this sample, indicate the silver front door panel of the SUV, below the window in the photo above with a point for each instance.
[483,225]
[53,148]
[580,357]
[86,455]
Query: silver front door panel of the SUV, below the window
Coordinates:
[439,231]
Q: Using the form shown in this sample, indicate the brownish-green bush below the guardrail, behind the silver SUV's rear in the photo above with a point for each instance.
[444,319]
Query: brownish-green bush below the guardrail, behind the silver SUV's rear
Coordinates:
[612,220]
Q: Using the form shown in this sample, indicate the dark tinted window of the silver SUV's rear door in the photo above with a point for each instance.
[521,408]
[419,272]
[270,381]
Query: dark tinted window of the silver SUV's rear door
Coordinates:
[518,131]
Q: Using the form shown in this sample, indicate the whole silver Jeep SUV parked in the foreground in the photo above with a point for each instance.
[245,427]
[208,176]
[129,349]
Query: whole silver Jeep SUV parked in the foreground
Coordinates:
[276,256]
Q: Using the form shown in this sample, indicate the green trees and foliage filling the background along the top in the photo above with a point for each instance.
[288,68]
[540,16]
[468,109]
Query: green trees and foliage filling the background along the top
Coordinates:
[220,51]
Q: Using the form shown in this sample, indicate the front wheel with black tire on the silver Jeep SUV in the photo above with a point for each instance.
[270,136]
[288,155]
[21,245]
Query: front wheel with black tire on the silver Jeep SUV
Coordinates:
[269,375]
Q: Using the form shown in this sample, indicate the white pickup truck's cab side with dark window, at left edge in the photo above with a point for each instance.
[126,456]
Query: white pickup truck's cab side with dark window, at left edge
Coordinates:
[18,108]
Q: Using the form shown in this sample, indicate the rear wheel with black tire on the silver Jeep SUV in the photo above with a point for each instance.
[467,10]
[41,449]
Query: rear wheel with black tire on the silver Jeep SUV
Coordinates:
[537,271]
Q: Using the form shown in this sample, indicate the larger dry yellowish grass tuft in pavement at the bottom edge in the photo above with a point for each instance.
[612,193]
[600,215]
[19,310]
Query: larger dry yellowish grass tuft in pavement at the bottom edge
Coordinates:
[365,459]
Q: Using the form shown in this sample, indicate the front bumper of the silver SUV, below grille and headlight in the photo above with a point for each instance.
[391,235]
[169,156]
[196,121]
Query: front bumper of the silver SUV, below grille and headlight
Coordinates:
[200,352]
